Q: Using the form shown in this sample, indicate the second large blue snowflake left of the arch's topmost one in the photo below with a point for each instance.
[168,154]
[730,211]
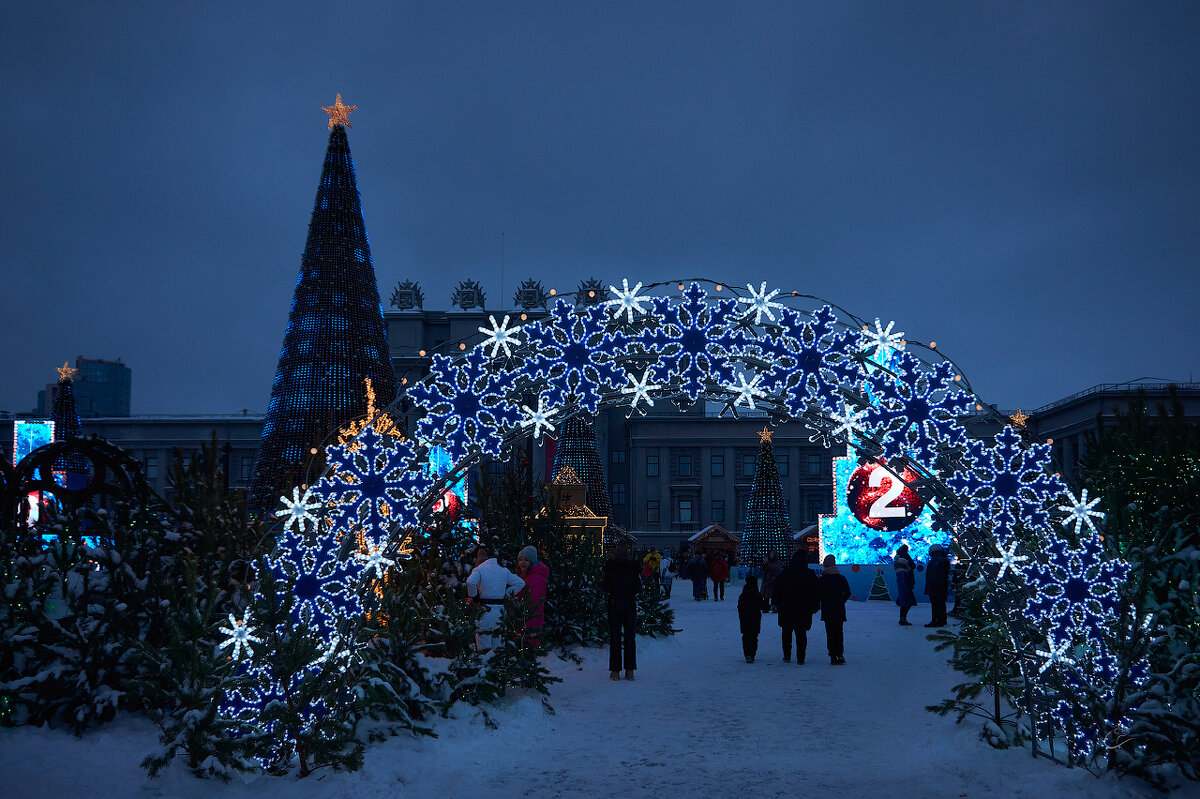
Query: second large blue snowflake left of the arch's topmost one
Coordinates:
[467,405]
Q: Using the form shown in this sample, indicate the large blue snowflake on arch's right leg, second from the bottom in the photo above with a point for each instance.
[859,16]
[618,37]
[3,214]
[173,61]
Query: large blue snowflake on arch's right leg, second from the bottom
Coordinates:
[1077,590]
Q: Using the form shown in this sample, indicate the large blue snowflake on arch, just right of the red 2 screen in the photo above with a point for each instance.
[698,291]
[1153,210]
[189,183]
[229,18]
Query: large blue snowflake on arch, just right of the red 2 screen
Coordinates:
[1007,482]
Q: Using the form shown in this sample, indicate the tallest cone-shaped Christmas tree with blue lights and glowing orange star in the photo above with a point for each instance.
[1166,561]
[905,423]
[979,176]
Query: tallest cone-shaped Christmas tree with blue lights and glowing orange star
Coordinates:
[335,338]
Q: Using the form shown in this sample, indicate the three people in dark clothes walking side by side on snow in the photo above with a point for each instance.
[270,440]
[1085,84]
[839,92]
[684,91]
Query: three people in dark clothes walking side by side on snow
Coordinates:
[797,596]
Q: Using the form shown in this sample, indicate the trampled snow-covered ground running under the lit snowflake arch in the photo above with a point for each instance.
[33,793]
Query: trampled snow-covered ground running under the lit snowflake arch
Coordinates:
[698,722]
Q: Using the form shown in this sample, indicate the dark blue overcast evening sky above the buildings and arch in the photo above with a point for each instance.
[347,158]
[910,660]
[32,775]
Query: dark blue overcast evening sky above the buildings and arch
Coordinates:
[1019,183]
